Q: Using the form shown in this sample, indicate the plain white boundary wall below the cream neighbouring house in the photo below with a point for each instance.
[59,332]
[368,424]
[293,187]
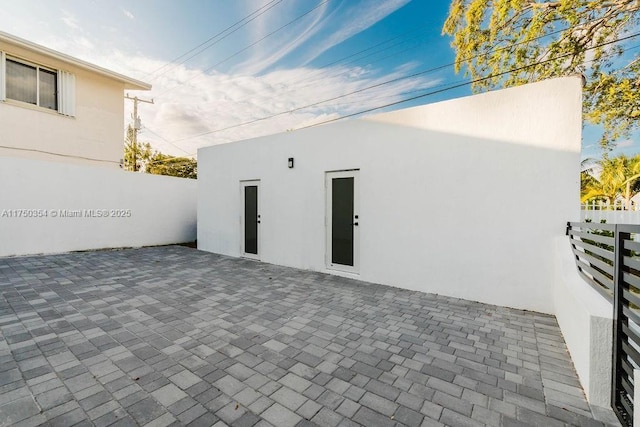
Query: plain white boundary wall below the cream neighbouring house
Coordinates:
[162,209]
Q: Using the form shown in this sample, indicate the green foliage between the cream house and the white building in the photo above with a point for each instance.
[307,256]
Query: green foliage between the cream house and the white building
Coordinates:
[141,157]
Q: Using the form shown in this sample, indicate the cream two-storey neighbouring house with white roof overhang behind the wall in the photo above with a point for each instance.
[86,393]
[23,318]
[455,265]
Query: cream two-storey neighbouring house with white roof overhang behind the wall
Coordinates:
[56,107]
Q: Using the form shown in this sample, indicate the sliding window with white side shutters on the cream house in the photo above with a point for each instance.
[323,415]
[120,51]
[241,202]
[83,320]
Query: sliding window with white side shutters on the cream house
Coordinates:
[37,85]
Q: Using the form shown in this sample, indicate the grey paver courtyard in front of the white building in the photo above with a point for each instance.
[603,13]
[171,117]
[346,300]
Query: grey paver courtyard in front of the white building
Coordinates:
[171,335]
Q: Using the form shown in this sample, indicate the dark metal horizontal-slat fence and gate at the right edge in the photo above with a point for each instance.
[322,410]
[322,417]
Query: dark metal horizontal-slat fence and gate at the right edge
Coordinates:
[608,258]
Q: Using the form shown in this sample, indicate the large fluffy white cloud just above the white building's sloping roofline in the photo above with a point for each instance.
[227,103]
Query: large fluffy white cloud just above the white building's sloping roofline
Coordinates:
[196,111]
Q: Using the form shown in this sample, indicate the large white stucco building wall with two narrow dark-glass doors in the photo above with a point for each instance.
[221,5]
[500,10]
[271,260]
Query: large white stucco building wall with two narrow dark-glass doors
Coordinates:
[446,192]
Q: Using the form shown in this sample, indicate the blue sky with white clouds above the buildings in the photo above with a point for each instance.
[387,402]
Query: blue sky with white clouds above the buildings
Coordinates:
[285,55]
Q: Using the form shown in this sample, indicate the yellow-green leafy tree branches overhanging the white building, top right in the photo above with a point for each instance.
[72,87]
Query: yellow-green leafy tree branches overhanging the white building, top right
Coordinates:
[544,39]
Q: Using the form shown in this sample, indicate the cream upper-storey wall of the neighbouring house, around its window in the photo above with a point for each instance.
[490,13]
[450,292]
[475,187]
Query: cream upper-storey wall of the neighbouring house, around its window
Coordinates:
[96,132]
